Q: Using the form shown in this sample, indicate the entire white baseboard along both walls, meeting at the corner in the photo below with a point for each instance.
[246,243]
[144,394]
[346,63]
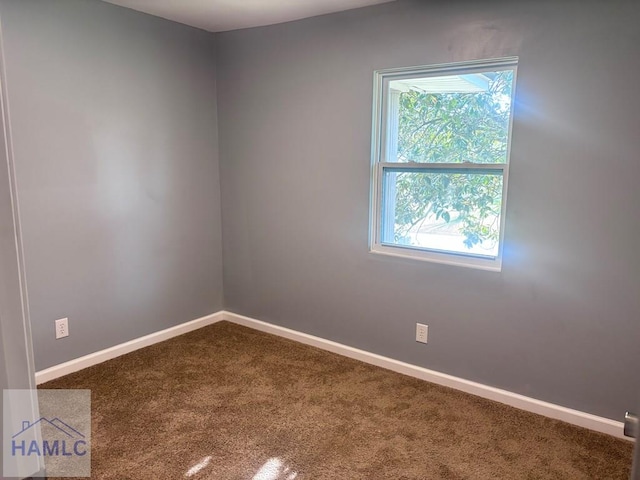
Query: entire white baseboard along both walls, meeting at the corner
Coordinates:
[575,417]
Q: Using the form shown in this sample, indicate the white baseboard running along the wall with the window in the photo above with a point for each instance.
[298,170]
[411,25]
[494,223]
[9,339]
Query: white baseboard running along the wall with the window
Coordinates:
[575,417]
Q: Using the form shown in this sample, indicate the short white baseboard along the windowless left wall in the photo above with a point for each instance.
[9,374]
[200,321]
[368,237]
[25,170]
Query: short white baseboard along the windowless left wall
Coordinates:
[76,364]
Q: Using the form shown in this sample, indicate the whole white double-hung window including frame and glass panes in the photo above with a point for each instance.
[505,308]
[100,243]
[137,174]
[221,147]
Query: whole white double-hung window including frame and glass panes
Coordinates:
[441,137]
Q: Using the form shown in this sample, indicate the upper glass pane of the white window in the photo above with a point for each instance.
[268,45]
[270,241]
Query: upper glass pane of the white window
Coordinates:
[450,119]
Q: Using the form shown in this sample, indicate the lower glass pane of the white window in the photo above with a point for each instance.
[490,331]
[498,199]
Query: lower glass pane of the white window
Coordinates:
[450,212]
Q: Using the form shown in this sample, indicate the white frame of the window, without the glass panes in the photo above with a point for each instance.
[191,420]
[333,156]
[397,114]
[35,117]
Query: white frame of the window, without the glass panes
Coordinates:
[382,135]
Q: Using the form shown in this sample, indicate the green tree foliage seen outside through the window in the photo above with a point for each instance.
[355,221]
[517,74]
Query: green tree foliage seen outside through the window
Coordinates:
[454,128]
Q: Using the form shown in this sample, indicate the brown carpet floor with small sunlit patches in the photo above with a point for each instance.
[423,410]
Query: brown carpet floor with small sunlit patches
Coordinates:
[228,402]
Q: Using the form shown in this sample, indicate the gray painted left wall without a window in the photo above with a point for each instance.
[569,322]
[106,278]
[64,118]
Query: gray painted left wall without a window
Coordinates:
[115,136]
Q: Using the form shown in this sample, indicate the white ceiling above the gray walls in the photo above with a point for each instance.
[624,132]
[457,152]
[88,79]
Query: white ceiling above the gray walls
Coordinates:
[223,15]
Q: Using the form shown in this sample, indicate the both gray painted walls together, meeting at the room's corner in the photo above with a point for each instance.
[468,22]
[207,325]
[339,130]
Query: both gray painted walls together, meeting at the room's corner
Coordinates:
[114,126]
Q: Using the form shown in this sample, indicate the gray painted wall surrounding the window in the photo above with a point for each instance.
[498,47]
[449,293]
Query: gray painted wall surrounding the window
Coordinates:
[561,322]
